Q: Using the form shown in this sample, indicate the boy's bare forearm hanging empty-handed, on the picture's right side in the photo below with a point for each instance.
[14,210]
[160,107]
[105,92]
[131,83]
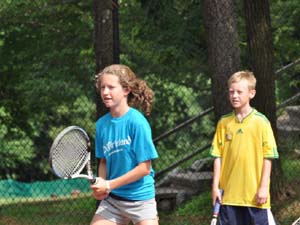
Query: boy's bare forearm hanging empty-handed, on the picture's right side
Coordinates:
[263,191]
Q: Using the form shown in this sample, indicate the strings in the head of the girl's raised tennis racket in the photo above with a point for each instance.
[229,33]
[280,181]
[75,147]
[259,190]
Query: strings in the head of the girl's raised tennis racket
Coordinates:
[70,154]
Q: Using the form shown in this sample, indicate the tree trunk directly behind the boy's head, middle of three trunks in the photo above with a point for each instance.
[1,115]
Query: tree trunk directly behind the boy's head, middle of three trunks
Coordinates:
[223,50]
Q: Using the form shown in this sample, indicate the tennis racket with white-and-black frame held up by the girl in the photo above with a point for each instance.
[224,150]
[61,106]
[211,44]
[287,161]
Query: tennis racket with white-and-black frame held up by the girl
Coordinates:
[70,154]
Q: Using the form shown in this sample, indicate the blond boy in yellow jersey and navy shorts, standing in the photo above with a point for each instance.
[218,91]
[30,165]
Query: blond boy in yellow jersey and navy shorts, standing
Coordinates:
[243,147]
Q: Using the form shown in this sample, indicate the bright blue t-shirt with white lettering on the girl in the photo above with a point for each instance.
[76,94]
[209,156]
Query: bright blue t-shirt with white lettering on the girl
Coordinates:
[125,142]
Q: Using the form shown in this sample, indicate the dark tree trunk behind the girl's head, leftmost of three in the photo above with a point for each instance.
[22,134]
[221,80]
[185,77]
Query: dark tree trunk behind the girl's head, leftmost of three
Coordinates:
[106,39]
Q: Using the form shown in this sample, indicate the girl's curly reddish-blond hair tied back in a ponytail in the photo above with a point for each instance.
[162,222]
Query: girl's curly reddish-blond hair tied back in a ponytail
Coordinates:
[141,96]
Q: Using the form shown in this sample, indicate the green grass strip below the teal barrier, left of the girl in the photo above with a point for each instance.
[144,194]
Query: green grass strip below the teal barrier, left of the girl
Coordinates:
[56,212]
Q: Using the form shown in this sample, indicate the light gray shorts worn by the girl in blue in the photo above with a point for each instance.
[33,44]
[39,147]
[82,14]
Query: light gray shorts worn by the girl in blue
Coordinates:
[122,212]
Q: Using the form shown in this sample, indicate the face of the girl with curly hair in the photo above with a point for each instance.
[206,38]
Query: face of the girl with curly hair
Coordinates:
[113,95]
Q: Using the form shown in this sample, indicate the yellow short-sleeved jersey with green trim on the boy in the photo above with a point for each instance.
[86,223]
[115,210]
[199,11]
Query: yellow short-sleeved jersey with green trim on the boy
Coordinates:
[242,147]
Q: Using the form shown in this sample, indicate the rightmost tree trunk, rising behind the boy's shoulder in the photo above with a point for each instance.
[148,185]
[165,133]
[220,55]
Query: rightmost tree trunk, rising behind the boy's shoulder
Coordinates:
[258,26]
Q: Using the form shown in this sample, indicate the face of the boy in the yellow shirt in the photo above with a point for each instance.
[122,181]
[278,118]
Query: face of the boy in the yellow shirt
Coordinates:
[240,94]
